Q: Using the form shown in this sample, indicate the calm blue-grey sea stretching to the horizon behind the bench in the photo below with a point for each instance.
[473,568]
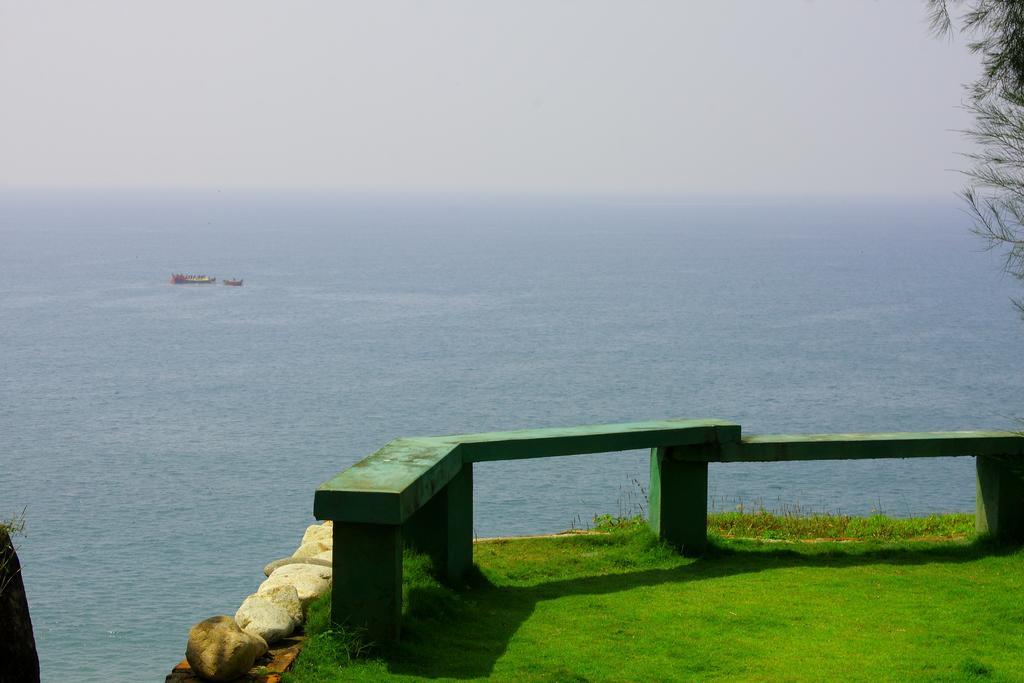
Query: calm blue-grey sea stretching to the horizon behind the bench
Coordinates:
[166,441]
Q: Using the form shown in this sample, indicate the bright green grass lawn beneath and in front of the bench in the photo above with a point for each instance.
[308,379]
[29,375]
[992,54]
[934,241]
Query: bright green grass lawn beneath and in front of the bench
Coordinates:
[620,607]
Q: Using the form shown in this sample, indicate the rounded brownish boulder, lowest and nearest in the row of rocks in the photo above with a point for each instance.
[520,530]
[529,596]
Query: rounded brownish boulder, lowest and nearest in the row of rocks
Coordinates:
[220,651]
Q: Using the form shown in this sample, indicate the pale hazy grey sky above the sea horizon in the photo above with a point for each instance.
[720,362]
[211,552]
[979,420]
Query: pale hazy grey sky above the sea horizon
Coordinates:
[782,98]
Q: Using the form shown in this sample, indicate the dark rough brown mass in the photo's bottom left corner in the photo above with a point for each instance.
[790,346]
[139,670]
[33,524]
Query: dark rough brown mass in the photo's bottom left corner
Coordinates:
[19,661]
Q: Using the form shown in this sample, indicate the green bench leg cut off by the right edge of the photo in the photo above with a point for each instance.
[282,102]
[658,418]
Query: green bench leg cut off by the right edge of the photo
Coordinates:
[1001,499]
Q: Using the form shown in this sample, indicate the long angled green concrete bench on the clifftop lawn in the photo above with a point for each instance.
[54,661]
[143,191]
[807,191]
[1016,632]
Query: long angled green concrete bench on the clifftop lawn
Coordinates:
[419,492]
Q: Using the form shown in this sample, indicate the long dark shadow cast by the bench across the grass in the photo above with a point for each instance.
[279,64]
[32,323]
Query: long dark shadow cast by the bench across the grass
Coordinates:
[463,637]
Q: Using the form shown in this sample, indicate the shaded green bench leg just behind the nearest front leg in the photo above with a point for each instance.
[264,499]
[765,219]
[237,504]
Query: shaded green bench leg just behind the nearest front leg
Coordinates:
[444,528]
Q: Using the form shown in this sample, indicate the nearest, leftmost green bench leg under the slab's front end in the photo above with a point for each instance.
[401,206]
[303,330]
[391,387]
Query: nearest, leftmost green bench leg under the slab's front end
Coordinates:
[367,591]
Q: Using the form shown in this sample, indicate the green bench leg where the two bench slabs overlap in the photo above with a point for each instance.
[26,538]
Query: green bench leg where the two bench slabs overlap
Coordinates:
[678,502]
